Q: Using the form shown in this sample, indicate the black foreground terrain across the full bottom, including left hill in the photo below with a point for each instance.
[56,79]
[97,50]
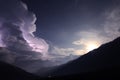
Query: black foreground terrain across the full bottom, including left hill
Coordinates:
[12,73]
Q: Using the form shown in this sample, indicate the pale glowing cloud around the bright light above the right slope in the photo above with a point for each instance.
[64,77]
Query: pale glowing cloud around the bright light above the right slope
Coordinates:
[109,30]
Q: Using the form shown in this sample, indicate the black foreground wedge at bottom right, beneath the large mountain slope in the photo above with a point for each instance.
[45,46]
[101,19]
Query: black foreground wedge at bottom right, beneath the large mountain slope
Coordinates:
[103,74]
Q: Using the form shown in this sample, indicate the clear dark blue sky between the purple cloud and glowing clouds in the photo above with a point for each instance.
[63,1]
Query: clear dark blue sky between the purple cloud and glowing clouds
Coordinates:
[58,20]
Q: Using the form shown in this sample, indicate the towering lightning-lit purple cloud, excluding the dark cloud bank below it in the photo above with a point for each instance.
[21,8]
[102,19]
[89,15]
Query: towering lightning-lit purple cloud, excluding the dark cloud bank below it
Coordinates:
[17,25]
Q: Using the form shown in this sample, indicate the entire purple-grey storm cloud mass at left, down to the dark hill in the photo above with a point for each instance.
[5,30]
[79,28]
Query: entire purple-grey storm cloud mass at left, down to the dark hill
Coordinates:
[19,46]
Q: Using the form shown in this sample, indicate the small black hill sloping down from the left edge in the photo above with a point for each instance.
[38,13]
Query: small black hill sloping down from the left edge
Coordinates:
[9,72]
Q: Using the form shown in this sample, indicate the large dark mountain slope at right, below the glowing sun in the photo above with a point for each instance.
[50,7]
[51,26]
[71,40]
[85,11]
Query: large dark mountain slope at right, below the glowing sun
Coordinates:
[104,60]
